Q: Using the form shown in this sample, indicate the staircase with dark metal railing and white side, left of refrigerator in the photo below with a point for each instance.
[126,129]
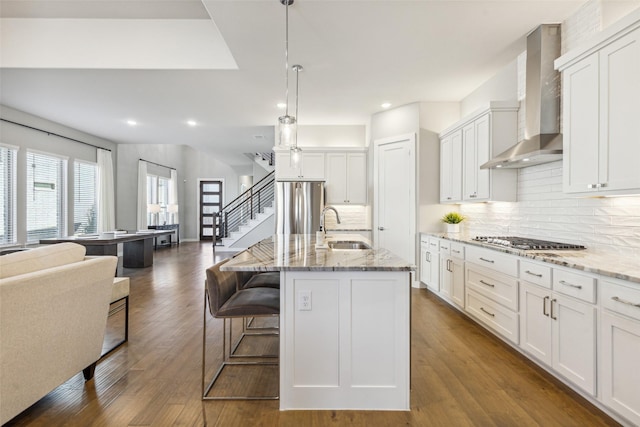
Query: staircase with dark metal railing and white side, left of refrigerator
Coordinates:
[249,218]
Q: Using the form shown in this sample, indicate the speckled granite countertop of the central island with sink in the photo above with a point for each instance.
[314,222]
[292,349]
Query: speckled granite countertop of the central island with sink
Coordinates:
[297,252]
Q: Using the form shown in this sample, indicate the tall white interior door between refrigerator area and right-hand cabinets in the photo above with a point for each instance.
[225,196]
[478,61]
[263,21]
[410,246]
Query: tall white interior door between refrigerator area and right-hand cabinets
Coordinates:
[395,199]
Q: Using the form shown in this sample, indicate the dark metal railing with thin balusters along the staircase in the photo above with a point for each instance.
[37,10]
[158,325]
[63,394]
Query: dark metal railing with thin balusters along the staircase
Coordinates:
[247,205]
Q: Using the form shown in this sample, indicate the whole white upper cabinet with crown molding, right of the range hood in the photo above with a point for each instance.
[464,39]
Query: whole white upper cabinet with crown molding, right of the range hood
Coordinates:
[601,105]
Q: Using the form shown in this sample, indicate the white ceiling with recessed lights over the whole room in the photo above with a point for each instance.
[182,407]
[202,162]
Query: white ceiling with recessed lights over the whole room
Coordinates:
[356,55]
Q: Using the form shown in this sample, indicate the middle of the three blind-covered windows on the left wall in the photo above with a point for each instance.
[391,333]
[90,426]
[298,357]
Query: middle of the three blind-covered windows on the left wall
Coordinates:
[46,196]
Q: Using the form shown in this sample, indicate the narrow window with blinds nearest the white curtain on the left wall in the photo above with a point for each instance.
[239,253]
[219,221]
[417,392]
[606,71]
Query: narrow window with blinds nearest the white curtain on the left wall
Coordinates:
[85,209]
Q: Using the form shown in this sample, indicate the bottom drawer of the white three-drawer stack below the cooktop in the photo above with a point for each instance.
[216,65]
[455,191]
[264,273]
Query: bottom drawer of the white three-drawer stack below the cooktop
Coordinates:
[492,314]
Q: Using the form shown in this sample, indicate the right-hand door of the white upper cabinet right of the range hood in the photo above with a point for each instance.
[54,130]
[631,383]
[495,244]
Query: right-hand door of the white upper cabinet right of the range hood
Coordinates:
[620,103]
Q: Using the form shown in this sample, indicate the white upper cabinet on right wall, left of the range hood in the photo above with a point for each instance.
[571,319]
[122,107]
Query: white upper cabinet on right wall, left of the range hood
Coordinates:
[472,142]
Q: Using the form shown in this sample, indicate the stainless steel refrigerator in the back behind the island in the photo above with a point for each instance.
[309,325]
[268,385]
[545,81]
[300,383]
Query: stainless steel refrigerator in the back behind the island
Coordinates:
[298,206]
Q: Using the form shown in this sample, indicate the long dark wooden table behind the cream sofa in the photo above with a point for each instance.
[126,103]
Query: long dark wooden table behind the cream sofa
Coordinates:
[137,248]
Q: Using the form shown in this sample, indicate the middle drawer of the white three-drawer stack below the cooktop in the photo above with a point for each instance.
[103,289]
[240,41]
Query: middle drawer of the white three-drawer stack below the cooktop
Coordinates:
[500,288]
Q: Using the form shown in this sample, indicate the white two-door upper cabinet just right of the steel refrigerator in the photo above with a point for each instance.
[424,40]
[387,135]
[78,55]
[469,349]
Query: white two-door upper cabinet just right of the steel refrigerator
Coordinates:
[346,178]
